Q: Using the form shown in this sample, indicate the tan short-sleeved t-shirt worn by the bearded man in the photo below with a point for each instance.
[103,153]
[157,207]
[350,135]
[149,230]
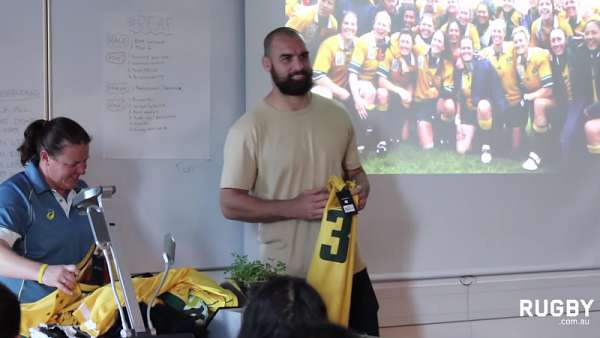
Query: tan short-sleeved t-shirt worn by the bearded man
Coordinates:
[277,155]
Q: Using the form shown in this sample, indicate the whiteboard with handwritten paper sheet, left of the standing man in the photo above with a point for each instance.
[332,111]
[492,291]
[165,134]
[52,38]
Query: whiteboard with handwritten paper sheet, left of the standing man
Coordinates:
[156,194]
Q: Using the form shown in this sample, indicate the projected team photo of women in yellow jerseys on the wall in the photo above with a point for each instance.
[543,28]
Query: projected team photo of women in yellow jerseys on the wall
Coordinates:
[448,86]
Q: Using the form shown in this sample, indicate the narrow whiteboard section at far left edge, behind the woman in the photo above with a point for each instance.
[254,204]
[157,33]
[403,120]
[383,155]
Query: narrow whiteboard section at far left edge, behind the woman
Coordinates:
[22,80]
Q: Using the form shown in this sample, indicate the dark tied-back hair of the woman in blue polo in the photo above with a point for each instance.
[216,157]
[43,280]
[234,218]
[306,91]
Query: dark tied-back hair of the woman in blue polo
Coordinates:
[53,136]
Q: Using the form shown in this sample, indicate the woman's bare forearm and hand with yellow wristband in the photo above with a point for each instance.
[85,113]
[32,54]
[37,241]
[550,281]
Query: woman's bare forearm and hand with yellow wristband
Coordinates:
[12,265]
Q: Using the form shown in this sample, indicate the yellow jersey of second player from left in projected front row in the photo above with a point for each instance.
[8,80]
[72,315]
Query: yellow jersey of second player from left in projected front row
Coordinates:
[366,57]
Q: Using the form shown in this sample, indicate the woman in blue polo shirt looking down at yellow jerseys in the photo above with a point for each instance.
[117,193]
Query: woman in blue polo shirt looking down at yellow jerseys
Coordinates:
[42,235]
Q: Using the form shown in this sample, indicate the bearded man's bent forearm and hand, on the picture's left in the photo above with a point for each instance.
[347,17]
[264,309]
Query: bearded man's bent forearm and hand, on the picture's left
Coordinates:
[237,204]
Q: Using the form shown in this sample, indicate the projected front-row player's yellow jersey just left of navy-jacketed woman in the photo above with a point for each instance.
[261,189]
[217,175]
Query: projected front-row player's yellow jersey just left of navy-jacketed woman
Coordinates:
[430,77]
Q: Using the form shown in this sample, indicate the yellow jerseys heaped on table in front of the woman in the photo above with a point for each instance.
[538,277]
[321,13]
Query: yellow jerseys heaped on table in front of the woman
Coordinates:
[93,308]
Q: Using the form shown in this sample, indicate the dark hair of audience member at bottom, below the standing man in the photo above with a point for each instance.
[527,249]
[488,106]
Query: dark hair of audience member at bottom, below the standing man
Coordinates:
[279,306]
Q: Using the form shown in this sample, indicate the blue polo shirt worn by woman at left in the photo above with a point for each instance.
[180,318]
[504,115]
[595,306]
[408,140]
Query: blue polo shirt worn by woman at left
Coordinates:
[48,235]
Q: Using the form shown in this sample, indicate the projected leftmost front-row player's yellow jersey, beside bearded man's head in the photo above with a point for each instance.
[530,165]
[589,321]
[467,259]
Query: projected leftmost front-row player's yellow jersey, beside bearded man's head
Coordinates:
[332,60]
